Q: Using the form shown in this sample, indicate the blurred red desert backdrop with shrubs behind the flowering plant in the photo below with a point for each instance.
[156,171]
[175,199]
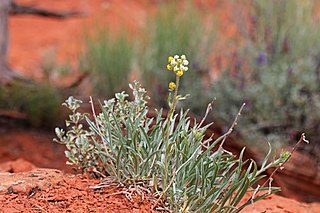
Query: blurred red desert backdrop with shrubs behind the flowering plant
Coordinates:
[265,53]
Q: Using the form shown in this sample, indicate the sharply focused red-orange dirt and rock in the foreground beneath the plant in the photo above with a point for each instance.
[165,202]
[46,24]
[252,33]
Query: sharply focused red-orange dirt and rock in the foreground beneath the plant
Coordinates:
[49,190]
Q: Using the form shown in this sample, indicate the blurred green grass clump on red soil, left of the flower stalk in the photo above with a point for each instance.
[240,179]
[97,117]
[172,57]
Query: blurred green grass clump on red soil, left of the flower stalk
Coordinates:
[108,58]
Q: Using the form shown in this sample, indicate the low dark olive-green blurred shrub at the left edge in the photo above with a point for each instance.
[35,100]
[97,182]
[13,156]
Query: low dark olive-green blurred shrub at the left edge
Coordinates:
[40,102]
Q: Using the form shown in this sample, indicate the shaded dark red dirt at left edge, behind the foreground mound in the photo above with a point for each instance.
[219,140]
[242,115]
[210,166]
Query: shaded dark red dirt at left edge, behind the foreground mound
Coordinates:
[31,145]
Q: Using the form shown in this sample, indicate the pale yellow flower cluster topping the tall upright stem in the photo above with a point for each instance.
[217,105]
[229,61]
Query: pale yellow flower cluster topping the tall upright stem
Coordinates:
[178,64]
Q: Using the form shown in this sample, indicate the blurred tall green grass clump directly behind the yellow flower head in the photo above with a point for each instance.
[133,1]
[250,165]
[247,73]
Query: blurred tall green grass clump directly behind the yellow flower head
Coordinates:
[172,30]
